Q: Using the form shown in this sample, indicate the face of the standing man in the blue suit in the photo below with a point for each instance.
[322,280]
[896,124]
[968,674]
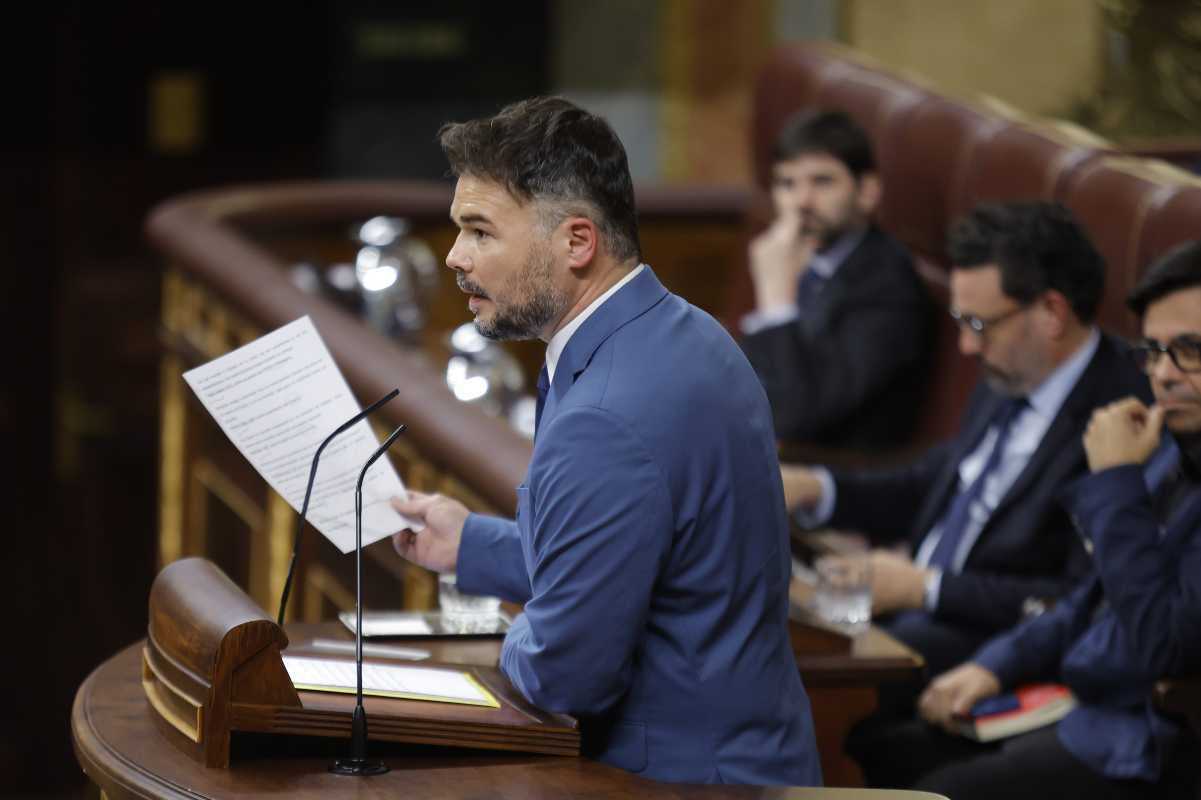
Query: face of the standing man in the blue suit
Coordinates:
[504,261]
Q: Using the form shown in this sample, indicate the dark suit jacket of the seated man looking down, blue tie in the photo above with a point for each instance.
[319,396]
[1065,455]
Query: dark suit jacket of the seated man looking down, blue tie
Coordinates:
[1027,548]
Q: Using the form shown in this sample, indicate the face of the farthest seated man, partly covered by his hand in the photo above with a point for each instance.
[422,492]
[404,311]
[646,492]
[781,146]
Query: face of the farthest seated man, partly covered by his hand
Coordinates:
[822,193]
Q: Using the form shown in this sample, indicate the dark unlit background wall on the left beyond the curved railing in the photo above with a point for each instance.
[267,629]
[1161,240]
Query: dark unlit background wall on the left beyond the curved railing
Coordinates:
[110,110]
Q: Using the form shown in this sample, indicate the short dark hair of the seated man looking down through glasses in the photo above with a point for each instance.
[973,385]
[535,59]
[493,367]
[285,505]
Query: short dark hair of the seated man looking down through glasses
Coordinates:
[1038,247]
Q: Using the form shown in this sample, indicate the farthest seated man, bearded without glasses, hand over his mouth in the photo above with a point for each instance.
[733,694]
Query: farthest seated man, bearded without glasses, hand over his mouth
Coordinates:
[840,333]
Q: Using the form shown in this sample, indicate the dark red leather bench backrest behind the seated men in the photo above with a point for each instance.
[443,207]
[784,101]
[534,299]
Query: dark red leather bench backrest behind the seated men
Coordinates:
[939,158]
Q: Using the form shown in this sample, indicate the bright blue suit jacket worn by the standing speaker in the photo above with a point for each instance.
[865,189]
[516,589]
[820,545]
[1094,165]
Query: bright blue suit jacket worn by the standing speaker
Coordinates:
[652,553]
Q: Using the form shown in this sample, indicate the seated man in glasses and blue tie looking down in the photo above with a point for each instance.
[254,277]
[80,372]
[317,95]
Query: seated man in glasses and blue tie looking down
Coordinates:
[984,535]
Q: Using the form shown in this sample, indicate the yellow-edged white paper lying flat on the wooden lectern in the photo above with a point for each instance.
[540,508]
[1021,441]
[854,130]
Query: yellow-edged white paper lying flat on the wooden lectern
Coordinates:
[389,680]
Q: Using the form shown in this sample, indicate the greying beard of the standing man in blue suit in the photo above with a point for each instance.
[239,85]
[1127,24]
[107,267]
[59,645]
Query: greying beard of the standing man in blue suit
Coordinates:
[536,303]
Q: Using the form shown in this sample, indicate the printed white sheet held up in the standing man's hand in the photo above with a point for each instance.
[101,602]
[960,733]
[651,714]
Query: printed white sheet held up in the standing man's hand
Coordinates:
[277,399]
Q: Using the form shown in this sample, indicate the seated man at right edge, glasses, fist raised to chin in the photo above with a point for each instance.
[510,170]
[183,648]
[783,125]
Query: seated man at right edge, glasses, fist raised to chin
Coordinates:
[1138,620]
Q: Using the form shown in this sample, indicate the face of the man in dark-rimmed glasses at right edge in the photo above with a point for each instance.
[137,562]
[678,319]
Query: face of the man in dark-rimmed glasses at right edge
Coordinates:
[1180,393]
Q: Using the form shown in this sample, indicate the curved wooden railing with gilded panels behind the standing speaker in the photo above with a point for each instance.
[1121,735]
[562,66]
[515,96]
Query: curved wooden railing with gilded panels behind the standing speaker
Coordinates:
[226,284]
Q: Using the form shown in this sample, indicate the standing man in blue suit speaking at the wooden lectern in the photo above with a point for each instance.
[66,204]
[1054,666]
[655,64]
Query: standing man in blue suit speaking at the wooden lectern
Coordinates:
[650,546]
